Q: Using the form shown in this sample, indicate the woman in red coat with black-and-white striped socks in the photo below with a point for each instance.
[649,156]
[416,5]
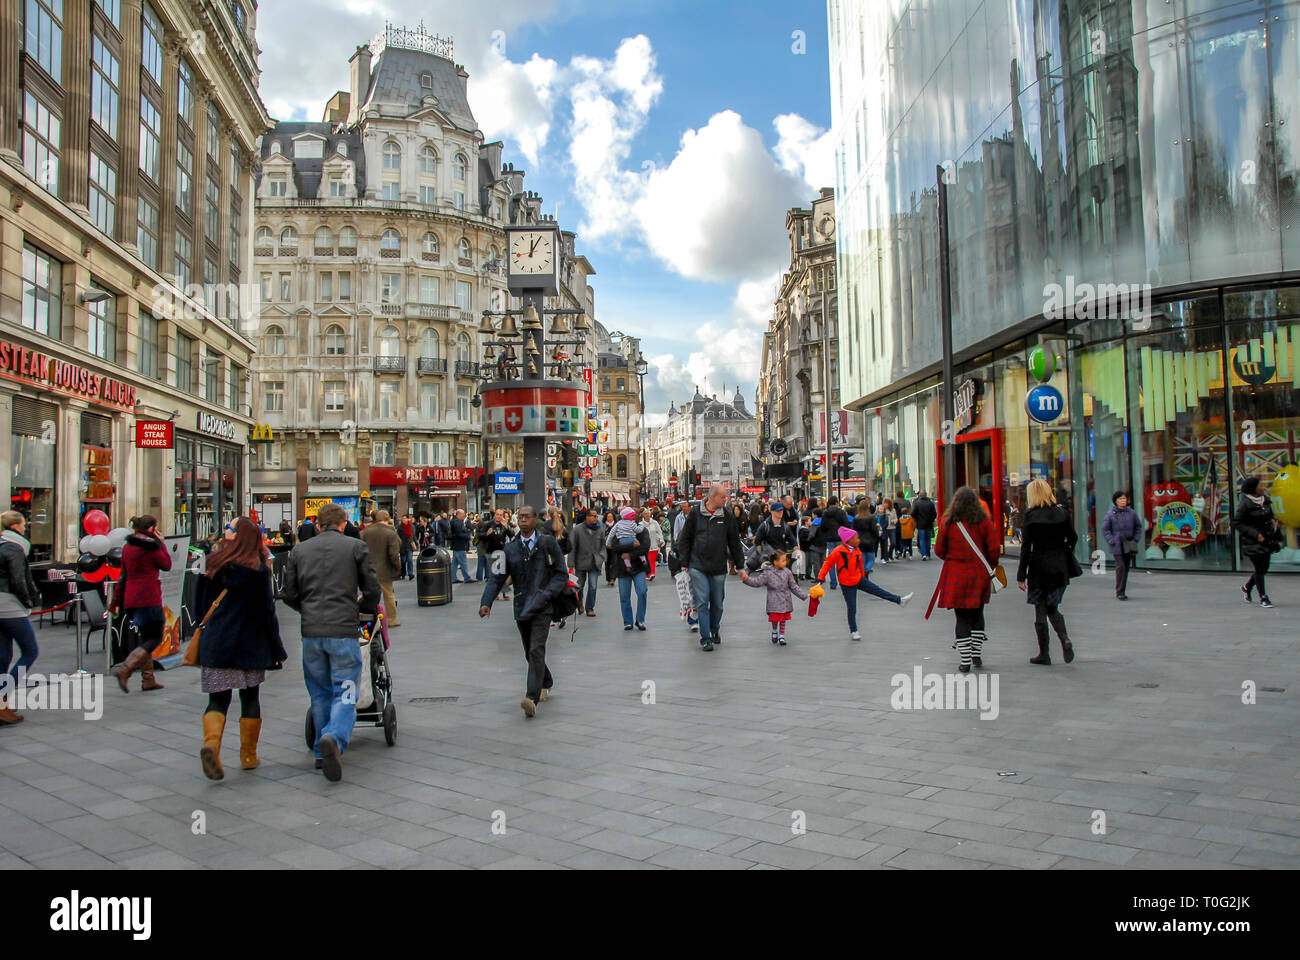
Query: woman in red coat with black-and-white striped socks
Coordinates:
[964,585]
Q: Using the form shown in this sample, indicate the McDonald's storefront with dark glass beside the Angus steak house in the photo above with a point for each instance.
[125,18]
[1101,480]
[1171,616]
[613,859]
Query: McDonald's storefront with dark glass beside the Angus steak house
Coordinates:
[210,478]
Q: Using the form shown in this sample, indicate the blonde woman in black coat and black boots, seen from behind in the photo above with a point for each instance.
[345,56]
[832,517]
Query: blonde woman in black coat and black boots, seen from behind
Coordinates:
[1047,565]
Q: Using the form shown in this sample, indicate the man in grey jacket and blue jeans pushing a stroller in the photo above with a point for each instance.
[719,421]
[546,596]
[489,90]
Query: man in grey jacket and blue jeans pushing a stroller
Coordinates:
[323,578]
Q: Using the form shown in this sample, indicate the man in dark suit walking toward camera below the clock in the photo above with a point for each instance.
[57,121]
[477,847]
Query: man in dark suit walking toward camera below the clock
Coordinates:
[539,569]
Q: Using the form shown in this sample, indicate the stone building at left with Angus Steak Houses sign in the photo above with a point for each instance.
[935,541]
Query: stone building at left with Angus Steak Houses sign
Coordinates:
[127,142]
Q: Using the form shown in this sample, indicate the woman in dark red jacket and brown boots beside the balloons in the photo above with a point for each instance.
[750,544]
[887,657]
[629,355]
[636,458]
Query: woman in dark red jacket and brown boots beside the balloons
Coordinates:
[140,595]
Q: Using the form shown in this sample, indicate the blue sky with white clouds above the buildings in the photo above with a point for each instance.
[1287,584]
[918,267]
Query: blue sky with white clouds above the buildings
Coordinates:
[671,136]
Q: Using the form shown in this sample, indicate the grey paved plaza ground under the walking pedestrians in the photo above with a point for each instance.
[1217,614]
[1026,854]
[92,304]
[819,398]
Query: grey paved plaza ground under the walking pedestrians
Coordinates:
[1139,755]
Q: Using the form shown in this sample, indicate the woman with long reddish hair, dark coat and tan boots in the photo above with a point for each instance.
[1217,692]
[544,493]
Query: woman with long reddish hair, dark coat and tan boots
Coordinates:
[240,643]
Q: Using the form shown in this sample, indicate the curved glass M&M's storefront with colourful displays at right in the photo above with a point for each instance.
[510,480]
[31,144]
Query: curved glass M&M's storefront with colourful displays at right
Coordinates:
[1176,409]
